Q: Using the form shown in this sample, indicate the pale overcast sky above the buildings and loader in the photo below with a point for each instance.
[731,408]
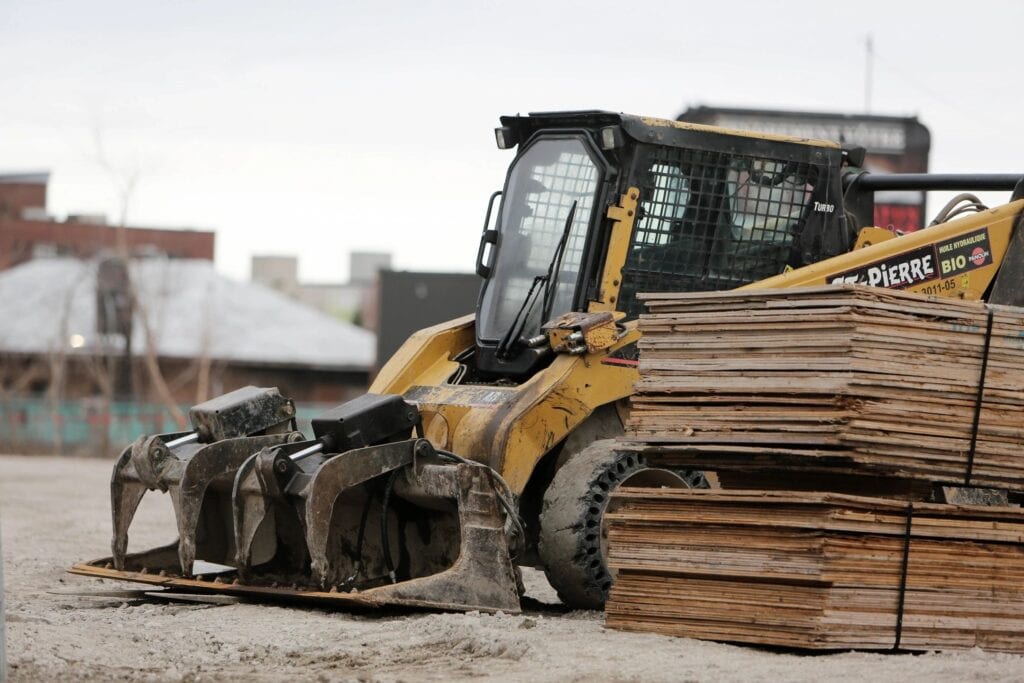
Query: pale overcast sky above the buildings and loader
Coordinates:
[321,127]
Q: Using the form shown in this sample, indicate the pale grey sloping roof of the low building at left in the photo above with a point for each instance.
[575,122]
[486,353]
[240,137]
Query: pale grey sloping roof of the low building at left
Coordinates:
[193,312]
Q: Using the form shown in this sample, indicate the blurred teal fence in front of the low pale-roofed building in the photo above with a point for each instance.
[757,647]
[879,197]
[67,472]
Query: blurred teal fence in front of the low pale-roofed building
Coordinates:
[79,426]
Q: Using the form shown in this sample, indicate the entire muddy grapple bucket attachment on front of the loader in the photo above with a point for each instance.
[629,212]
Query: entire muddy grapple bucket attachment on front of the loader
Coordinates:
[368,514]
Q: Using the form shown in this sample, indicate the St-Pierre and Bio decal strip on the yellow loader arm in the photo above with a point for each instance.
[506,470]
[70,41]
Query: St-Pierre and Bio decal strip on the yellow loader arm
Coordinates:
[945,260]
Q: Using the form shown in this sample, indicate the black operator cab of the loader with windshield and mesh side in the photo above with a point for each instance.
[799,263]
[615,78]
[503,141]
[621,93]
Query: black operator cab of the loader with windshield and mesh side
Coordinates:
[717,209]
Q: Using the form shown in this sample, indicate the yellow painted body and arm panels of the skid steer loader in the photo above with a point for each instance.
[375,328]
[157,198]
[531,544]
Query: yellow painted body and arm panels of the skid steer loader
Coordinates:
[511,429]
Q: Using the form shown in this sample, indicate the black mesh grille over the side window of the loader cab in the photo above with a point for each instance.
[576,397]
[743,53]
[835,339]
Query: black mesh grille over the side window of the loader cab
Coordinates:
[713,221]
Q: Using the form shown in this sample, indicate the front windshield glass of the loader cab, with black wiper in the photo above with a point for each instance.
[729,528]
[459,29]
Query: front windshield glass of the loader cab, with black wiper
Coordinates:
[548,201]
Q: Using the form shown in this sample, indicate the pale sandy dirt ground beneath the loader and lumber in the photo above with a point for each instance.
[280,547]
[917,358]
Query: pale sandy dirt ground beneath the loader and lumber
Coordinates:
[54,513]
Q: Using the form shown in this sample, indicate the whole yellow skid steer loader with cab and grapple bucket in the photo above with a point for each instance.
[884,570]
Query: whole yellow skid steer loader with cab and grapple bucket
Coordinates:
[487,443]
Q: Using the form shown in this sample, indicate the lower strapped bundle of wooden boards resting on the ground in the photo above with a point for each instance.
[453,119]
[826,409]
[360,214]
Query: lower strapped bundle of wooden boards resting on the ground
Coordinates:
[818,571]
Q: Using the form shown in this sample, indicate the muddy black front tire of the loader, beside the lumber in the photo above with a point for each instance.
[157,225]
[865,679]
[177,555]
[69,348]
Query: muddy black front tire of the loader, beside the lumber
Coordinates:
[572,519]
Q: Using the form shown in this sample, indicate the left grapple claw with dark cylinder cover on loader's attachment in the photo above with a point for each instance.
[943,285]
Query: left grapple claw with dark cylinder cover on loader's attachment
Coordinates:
[198,469]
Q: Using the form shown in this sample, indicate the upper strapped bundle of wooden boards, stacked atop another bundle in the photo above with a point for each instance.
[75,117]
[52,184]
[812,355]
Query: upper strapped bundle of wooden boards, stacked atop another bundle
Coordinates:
[841,379]
